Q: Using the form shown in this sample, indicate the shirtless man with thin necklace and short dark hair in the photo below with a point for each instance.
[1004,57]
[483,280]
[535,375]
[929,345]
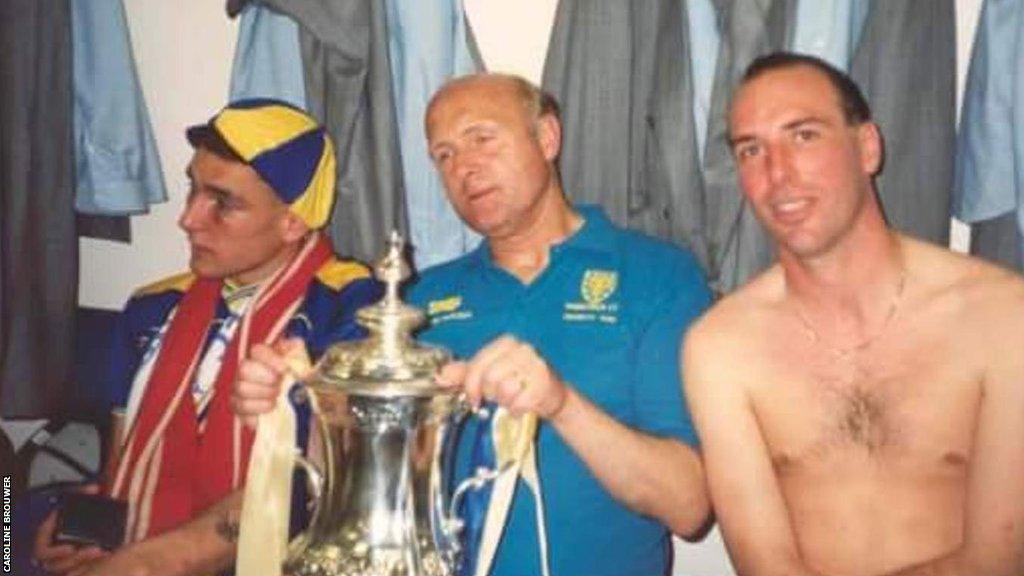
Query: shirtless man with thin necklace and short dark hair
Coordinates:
[862,404]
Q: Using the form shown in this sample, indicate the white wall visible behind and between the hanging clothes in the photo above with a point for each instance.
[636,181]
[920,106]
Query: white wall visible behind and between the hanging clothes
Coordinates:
[185,51]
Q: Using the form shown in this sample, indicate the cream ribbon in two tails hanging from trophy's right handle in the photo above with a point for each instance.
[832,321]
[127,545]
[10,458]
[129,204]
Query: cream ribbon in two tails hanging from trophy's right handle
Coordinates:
[516,452]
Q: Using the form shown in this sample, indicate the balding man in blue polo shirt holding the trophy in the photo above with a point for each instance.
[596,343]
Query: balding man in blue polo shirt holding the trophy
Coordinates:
[563,315]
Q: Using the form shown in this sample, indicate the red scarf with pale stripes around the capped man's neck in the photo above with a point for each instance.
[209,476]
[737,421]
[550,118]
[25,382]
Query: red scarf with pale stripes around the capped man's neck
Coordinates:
[172,467]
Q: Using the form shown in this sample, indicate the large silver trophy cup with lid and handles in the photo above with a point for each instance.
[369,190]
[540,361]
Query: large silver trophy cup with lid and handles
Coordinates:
[382,508]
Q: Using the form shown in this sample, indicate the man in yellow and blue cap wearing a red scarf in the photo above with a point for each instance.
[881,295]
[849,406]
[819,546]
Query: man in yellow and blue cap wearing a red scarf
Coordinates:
[263,182]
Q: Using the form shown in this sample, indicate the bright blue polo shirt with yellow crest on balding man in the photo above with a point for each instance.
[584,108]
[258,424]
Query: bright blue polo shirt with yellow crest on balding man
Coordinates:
[609,315]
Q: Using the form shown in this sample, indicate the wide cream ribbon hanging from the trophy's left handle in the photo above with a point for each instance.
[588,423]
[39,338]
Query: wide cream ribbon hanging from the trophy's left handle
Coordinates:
[267,505]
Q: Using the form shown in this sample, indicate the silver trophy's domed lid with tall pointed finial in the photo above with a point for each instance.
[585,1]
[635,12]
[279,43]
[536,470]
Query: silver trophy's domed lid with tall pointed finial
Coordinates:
[389,362]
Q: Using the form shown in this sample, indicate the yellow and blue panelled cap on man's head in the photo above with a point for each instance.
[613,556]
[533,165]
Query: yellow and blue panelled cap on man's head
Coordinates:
[287,148]
